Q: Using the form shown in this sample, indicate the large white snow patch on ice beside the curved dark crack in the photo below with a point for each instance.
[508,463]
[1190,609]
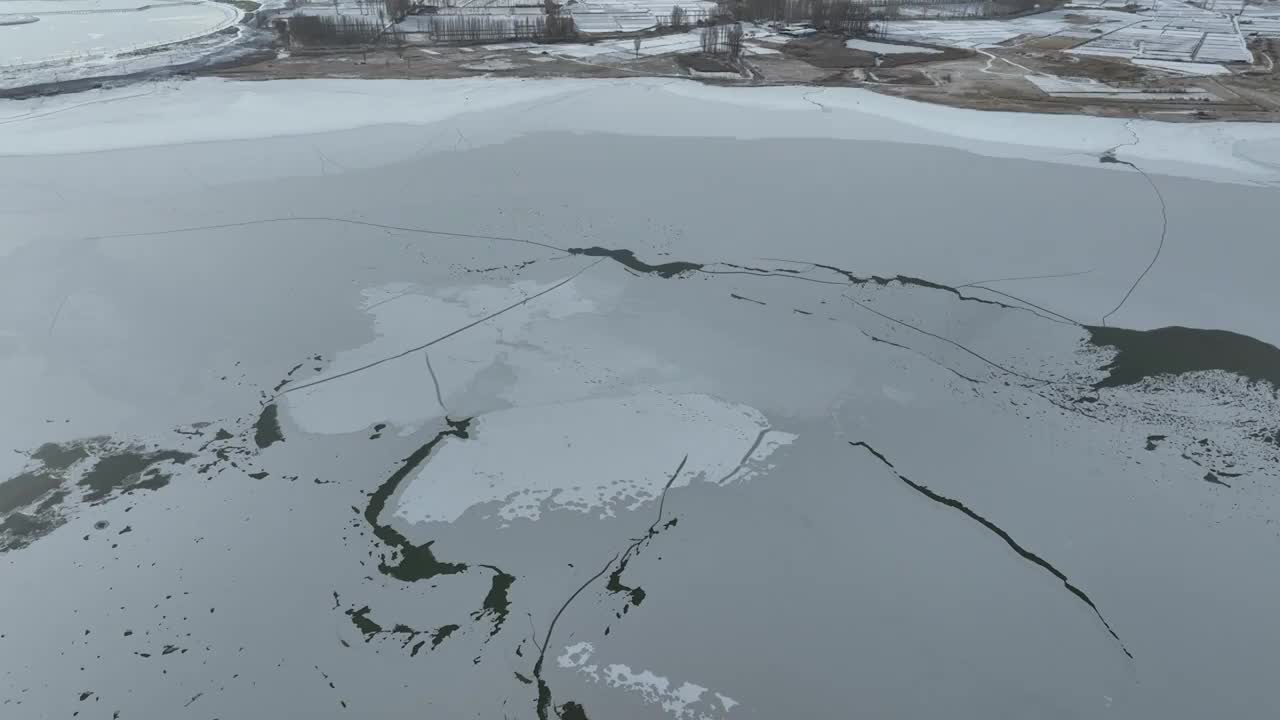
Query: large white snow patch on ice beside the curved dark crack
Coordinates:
[593,457]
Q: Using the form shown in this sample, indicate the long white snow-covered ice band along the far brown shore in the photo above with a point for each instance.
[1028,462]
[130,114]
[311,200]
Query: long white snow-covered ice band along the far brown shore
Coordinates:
[211,110]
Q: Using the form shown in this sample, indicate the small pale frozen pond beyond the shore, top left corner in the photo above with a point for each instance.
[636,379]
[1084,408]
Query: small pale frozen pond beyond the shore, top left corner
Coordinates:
[84,30]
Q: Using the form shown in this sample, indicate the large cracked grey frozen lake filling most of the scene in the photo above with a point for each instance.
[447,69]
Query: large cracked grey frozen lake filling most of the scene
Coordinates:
[632,400]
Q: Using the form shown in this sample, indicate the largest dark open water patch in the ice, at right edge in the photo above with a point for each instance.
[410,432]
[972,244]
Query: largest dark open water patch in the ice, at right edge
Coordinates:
[1177,350]
